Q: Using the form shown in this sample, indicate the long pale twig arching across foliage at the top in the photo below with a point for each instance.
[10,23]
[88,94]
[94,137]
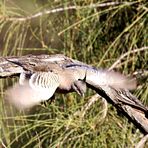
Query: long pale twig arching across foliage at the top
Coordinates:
[99,5]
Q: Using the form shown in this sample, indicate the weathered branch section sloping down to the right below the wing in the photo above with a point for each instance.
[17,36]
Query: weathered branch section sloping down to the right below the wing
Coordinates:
[135,115]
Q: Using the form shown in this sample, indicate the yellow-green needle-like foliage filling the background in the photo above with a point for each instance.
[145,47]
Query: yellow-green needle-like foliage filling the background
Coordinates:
[93,33]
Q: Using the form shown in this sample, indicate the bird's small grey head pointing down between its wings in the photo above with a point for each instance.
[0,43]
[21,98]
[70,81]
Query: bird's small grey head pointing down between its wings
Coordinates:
[79,87]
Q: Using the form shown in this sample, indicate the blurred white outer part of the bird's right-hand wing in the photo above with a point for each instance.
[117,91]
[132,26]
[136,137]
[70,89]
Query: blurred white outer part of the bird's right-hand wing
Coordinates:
[110,78]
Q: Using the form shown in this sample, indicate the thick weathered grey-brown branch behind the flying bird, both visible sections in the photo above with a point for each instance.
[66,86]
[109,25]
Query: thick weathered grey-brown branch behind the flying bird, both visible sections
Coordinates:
[123,100]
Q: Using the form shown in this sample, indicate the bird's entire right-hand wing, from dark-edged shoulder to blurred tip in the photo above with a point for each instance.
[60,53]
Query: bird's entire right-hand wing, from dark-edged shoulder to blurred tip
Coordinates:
[102,77]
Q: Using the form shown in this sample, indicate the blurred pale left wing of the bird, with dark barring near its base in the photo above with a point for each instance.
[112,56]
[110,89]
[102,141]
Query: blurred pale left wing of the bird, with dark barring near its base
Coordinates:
[39,87]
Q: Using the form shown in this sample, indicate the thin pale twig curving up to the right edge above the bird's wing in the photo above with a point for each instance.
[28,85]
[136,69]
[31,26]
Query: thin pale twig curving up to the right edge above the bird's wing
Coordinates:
[126,54]
